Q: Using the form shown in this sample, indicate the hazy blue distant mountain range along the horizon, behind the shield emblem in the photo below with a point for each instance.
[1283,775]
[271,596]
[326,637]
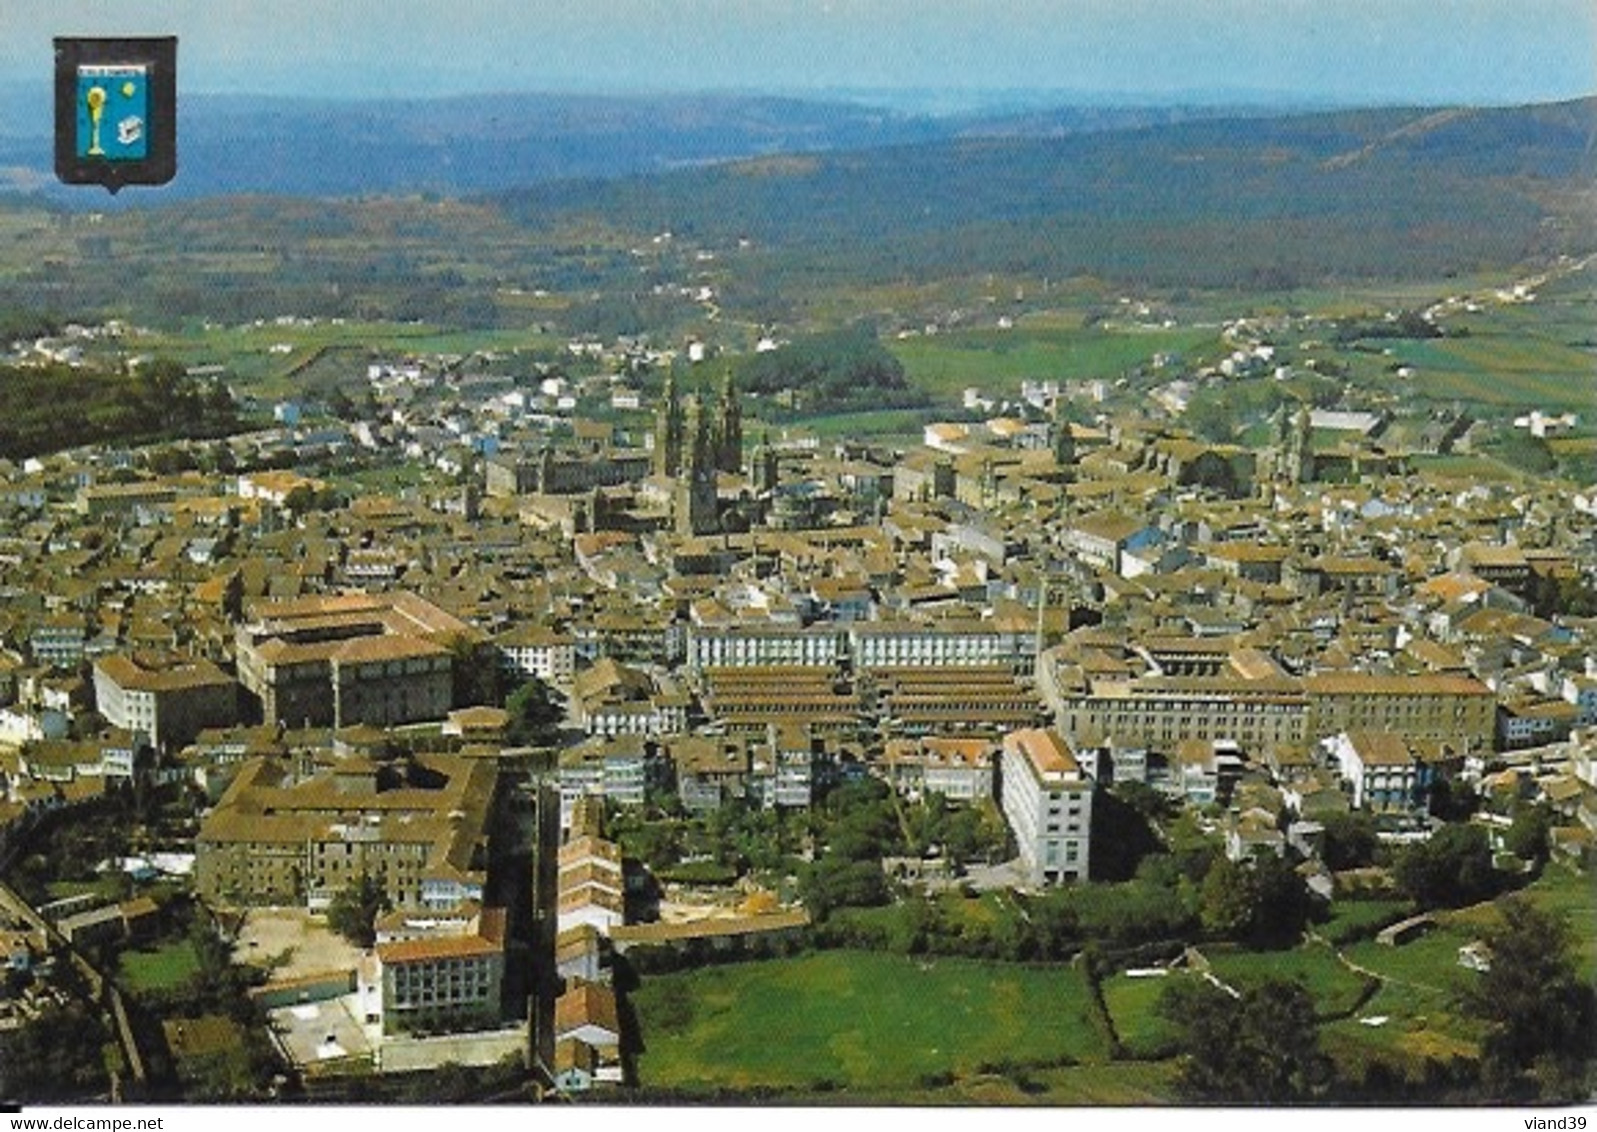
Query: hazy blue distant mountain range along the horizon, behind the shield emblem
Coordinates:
[469,144]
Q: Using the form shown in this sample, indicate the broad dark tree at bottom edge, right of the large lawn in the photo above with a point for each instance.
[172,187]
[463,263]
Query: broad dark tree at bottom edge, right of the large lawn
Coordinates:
[1261,1048]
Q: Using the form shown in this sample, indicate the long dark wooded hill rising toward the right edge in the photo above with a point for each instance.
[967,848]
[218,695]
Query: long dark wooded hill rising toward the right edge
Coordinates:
[1280,202]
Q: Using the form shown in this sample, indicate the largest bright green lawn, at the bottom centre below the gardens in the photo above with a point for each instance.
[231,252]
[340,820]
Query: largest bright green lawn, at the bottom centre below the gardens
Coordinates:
[858,1019]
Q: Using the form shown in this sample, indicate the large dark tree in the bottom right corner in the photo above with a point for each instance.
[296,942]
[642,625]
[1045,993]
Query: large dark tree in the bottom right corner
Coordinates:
[1542,1016]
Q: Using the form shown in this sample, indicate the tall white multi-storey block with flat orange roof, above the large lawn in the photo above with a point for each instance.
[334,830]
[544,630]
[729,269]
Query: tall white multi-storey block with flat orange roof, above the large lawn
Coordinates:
[1048,804]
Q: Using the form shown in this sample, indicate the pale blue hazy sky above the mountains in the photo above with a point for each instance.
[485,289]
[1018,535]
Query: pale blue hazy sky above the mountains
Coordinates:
[1344,50]
